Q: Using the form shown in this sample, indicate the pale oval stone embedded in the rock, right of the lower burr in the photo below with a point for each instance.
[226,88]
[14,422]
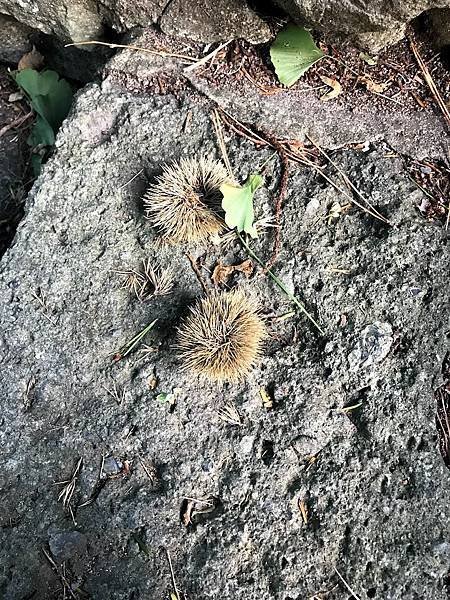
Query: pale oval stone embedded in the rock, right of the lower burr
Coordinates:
[373,346]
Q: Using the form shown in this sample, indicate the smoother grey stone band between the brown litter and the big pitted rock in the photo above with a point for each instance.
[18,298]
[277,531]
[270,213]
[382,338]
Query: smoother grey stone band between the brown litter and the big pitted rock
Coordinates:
[291,113]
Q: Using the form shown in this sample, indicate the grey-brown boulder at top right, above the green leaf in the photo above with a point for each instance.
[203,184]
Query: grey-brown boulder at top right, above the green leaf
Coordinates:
[373,23]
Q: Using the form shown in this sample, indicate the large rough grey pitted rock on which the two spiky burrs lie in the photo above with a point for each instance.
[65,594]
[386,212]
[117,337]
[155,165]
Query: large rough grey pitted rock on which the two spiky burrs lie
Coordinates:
[376,493]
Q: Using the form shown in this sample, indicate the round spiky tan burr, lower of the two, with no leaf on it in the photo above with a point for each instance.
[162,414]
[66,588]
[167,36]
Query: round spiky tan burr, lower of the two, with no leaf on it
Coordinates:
[222,337]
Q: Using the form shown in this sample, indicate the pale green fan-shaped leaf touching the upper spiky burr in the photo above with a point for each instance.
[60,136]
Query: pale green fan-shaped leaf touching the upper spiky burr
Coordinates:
[238,204]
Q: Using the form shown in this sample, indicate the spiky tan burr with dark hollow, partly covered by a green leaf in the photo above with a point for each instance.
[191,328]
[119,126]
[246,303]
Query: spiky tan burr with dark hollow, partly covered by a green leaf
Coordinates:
[184,204]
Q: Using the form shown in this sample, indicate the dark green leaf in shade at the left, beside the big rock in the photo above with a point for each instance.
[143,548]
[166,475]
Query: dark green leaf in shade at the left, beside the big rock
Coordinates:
[50,96]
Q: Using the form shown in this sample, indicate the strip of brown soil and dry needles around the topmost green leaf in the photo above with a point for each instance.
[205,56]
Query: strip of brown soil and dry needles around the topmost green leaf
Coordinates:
[396,76]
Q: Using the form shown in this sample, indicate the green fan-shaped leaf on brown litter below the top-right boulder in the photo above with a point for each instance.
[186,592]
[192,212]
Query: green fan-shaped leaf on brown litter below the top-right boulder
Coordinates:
[292,53]
